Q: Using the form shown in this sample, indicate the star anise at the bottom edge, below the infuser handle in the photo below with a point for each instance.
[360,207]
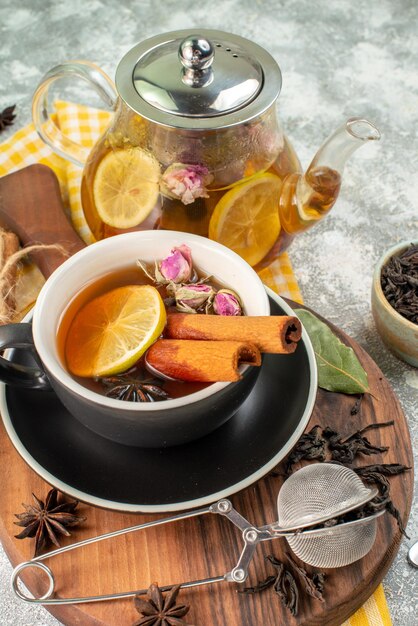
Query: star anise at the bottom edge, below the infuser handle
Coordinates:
[158,610]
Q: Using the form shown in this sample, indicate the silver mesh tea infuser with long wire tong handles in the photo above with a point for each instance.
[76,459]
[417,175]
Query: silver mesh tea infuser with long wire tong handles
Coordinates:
[312,495]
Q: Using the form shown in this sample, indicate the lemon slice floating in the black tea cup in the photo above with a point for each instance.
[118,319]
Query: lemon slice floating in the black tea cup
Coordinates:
[111,332]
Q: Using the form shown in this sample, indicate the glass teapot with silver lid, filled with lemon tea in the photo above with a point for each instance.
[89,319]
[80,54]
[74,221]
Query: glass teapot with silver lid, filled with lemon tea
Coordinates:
[195,145]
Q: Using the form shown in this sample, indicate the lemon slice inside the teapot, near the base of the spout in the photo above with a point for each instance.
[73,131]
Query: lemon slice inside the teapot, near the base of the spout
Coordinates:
[246,219]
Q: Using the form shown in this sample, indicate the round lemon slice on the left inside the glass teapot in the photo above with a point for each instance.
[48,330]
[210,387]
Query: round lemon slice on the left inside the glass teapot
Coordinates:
[126,187]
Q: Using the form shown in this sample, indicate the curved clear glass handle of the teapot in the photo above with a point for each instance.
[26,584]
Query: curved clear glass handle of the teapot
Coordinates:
[44,124]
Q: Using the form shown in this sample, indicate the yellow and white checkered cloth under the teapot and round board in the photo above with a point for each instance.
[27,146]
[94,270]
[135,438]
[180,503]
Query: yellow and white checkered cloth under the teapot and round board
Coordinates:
[85,125]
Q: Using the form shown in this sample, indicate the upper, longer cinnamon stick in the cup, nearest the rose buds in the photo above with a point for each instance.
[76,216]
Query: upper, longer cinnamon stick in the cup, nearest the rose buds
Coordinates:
[278,334]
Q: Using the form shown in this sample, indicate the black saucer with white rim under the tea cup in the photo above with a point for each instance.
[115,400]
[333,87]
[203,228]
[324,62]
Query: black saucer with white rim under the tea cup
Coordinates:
[101,472]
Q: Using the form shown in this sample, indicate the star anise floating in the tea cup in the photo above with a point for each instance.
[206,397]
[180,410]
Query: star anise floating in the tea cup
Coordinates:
[132,386]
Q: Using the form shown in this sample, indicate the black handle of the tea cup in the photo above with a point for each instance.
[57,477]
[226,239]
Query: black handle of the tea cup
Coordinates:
[14,374]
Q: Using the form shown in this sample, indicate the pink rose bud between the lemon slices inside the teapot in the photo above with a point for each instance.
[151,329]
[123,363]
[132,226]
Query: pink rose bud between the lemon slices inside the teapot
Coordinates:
[186,182]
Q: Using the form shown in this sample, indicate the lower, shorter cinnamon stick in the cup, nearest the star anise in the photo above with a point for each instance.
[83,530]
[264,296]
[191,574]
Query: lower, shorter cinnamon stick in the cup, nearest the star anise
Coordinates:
[201,361]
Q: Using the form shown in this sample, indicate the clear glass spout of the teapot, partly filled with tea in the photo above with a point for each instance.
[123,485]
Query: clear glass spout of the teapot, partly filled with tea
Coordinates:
[307,198]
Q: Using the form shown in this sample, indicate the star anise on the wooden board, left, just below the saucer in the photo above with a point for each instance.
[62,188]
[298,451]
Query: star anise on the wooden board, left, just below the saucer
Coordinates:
[46,520]
